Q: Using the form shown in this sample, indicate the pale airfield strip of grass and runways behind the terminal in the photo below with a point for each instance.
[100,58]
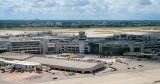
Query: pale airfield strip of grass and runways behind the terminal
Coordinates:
[107,30]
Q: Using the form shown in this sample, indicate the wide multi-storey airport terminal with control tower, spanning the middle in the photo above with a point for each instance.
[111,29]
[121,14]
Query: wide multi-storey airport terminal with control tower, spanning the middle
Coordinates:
[49,43]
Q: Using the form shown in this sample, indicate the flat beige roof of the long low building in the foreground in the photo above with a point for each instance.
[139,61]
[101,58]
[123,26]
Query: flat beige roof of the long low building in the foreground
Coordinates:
[63,63]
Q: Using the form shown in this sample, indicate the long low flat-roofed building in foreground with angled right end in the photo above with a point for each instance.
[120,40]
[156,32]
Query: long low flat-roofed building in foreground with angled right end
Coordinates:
[69,65]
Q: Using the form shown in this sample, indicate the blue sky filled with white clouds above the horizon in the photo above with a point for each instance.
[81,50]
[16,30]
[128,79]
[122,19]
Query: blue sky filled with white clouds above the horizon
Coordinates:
[80,9]
